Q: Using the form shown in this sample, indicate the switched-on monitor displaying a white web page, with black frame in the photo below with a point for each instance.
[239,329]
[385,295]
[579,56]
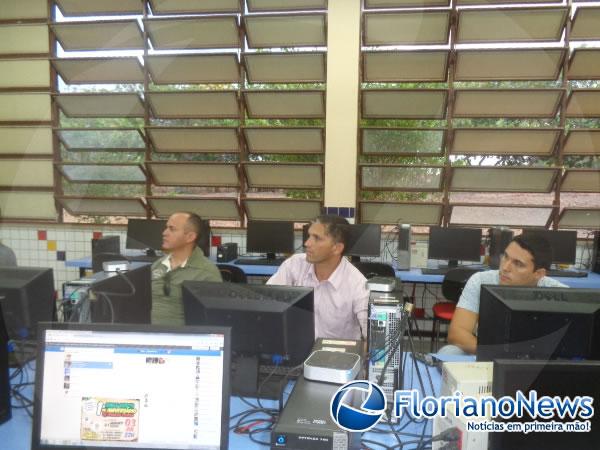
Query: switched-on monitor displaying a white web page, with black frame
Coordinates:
[131,387]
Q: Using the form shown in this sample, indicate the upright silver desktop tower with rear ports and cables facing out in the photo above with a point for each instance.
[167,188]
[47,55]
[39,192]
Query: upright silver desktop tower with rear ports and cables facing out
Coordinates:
[385,312]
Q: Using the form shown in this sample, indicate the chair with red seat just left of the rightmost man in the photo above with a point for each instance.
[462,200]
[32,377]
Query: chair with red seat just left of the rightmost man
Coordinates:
[452,287]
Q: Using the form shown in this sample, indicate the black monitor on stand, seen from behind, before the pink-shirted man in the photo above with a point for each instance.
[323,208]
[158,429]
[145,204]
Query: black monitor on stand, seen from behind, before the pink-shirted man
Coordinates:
[268,323]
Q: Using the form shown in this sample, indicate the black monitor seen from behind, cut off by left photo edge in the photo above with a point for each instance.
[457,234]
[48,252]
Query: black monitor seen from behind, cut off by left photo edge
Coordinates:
[27,296]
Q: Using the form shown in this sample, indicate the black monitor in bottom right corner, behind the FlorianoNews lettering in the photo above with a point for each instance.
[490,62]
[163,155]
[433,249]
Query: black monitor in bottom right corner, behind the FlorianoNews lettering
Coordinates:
[547,378]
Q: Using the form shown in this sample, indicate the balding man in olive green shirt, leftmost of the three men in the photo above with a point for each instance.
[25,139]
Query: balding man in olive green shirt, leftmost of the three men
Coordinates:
[184,261]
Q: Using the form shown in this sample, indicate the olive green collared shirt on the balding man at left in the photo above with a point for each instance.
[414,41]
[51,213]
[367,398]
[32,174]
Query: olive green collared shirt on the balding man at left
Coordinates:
[167,303]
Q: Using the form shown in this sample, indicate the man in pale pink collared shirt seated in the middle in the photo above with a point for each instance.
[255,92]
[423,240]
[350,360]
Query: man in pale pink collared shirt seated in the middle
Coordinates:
[340,293]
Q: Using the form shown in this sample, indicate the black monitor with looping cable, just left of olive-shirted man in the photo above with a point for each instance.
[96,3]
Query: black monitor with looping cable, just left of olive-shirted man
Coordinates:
[124,297]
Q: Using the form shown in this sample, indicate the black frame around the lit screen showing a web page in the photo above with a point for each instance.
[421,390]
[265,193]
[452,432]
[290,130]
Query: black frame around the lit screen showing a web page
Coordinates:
[38,390]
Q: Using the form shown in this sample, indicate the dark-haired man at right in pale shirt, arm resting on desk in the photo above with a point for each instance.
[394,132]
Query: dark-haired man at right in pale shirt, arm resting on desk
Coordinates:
[524,263]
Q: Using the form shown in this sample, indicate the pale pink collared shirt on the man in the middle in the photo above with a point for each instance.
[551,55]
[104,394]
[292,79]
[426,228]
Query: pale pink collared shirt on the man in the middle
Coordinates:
[341,302]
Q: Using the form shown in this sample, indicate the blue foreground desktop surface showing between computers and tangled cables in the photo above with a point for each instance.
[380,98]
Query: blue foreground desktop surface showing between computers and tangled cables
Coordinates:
[16,433]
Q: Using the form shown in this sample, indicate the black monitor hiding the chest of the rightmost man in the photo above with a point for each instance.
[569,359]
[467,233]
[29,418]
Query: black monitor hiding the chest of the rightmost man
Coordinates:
[538,323]
